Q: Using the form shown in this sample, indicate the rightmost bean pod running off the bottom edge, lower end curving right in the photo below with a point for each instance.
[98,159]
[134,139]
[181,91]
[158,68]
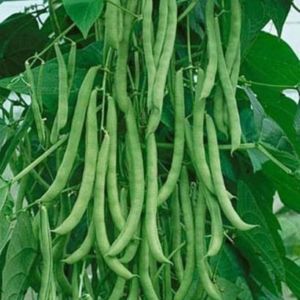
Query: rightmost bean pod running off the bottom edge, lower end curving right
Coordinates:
[200,248]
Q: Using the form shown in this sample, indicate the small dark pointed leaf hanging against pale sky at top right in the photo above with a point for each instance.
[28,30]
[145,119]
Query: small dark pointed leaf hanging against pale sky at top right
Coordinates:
[278,11]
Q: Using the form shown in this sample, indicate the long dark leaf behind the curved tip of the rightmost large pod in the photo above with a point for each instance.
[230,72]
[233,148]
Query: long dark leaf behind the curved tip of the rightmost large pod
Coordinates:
[259,238]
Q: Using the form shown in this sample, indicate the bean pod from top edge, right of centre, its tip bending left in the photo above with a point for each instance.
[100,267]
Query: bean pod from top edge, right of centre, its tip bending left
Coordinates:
[211,69]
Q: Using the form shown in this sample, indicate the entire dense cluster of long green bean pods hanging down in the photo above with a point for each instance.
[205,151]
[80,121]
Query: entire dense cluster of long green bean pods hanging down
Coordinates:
[146,235]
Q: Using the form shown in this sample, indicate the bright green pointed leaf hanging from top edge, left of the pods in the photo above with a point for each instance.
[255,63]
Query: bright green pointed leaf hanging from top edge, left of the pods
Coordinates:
[84,13]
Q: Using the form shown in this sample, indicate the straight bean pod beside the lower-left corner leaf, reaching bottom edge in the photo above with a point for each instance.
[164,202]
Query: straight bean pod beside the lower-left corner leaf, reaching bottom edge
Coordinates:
[46,250]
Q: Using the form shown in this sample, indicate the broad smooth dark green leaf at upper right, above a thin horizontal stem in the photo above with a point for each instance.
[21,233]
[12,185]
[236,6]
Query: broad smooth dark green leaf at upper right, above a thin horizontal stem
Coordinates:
[271,61]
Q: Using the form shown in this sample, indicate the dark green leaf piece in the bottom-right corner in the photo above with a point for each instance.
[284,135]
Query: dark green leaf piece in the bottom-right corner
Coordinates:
[292,276]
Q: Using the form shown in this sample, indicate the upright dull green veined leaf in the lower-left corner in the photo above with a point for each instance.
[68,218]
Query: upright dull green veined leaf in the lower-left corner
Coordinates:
[20,256]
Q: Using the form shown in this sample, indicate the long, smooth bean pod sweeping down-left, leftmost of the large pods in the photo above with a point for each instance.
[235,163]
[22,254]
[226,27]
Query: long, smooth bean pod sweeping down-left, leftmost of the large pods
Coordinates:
[66,165]
